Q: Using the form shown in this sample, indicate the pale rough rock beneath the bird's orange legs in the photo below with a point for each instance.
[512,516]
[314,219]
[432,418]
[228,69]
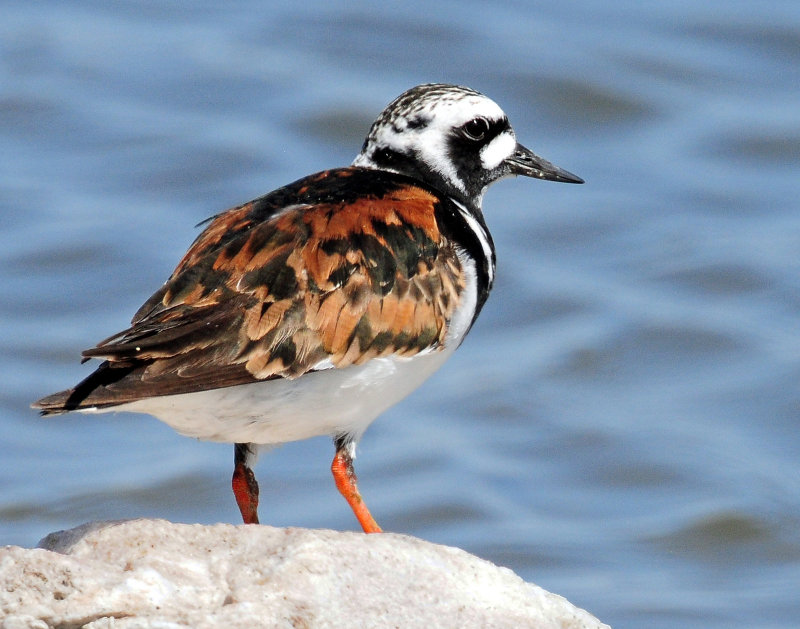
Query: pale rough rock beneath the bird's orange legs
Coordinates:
[152,573]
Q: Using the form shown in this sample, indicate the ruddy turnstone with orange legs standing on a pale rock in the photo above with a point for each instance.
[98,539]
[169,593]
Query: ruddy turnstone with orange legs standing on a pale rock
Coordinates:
[312,309]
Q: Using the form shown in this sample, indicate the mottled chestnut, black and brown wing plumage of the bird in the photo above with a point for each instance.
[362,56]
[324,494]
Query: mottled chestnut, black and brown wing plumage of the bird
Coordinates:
[328,283]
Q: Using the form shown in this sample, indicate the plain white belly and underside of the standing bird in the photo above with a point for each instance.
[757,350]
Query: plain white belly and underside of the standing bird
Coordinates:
[328,402]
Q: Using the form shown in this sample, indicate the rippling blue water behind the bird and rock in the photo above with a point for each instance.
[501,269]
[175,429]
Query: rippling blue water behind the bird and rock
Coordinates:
[622,426]
